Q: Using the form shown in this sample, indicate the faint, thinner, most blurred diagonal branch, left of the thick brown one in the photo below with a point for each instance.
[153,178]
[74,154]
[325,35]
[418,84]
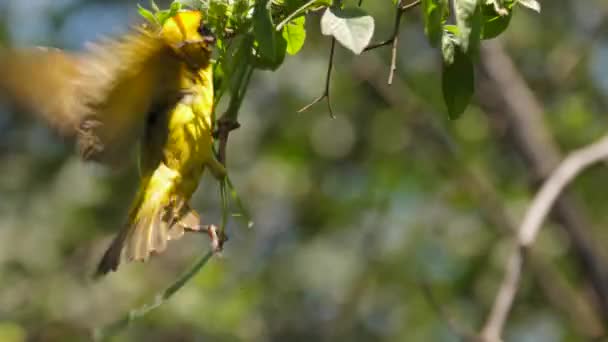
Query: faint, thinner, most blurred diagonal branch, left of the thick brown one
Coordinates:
[557,289]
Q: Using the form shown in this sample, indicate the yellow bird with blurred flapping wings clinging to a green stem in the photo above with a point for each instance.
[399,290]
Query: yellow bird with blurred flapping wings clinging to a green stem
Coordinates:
[154,86]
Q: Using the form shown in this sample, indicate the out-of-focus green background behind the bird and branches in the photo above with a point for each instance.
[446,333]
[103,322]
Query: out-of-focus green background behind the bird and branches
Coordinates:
[357,219]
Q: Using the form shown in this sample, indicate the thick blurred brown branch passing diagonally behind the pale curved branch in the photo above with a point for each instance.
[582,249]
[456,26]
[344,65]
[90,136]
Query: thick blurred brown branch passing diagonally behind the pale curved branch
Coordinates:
[505,96]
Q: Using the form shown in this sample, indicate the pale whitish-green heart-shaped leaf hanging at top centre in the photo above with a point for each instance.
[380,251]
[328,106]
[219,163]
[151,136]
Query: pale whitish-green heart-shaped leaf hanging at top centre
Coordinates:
[352,27]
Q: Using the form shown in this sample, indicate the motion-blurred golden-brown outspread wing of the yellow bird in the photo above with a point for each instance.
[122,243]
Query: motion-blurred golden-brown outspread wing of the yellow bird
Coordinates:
[101,97]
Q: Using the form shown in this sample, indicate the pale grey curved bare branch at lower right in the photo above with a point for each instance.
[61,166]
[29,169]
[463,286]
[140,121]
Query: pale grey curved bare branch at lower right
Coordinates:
[536,214]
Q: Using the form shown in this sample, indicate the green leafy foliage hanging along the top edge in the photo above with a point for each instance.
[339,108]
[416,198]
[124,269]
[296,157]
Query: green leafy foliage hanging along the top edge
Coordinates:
[278,27]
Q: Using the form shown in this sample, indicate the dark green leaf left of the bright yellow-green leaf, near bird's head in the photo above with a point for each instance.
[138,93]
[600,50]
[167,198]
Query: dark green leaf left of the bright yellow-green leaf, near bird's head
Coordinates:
[270,44]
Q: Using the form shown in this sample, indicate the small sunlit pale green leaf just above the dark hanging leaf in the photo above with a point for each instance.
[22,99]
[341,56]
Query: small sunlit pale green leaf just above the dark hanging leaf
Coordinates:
[468,20]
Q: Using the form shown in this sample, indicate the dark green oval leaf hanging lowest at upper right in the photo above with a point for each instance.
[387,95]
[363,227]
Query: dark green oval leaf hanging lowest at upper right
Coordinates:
[458,83]
